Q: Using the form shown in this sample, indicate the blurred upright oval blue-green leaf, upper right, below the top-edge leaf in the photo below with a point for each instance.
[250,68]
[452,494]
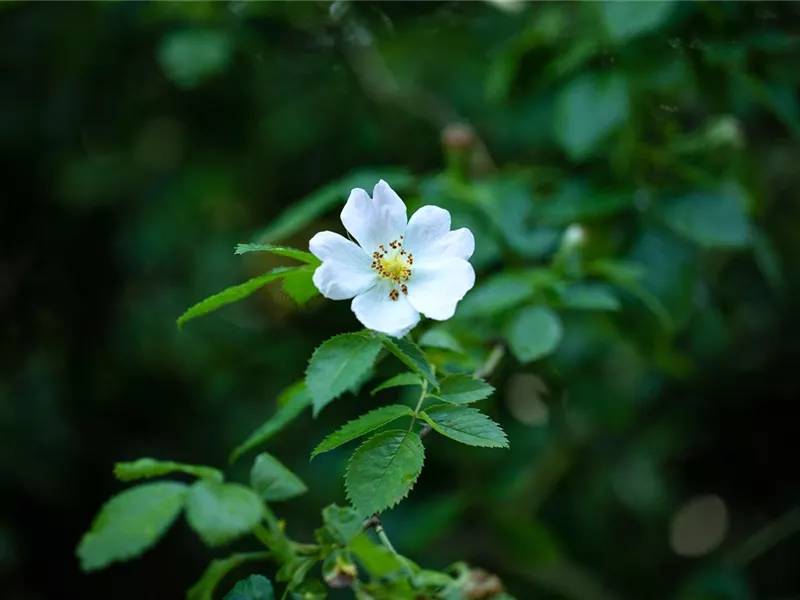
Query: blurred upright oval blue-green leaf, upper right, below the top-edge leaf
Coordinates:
[587,110]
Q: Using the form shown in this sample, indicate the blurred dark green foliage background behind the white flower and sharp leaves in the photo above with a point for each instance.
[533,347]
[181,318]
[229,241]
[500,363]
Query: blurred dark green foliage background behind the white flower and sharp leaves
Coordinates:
[653,452]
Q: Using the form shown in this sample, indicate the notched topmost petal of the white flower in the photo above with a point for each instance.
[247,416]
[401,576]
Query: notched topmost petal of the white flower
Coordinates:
[377,220]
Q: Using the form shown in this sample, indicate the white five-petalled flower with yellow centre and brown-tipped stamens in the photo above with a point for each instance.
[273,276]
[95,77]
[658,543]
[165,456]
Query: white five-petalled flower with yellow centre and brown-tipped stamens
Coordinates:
[400,267]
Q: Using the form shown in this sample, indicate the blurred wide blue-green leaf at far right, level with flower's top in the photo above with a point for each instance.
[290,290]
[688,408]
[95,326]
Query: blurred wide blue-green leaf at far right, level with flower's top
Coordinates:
[713,220]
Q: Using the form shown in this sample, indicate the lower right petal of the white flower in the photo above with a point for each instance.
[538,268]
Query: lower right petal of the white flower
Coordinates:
[435,288]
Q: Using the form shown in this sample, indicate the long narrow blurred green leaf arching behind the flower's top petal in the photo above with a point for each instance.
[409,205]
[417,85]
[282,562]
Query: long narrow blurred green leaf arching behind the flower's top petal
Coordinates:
[304,211]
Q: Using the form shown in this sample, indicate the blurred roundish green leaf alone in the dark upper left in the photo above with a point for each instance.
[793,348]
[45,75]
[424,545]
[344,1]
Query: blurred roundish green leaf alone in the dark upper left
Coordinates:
[191,56]
